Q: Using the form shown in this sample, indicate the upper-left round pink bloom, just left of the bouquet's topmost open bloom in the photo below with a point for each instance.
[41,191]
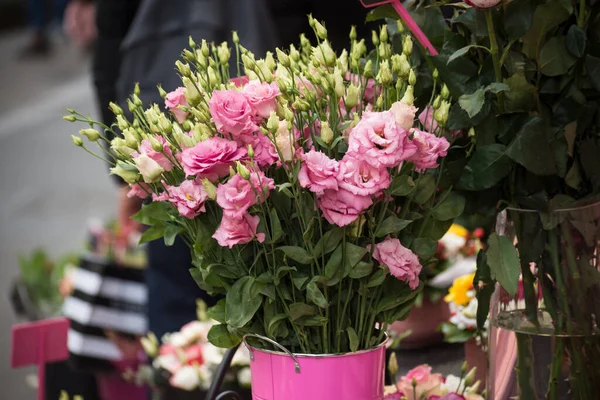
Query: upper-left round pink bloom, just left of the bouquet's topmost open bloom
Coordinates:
[231,113]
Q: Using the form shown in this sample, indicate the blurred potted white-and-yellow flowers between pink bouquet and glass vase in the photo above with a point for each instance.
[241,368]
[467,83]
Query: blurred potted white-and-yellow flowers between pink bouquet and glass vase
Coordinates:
[454,256]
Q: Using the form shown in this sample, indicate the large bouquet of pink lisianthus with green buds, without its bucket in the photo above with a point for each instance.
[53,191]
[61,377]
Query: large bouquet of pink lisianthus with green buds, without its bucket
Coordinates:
[308,190]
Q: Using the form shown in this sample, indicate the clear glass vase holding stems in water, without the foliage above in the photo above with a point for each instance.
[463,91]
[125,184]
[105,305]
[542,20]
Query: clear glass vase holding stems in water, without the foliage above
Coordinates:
[545,340]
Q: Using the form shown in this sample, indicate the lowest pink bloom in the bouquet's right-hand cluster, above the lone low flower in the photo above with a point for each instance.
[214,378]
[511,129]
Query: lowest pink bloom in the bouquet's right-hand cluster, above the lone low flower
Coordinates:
[341,207]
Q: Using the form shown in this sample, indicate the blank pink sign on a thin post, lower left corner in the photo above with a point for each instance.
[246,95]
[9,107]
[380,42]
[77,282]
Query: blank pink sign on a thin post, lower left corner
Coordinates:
[38,343]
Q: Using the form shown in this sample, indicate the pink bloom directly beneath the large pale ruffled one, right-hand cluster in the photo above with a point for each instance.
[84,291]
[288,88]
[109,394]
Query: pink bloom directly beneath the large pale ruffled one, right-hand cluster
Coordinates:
[361,178]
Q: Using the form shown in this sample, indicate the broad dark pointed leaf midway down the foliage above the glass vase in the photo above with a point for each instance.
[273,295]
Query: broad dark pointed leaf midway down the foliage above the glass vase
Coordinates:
[533,135]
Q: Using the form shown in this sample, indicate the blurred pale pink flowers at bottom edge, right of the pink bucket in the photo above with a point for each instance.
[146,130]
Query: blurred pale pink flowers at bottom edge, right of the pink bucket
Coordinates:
[421,384]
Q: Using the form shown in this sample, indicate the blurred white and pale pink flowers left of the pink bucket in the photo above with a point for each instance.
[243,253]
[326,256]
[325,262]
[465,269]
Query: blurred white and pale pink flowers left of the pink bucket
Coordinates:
[186,360]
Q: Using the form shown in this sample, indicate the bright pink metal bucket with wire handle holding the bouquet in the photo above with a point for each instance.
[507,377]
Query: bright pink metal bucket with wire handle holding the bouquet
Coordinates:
[287,376]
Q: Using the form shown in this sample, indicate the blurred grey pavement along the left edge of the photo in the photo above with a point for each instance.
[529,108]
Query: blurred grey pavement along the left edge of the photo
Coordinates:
[48,187]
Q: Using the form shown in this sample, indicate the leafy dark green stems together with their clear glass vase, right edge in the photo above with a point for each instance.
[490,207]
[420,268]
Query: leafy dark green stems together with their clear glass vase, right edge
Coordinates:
[526,77]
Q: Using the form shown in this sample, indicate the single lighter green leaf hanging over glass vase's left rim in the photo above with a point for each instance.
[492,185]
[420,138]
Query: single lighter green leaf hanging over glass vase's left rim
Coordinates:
[504,262]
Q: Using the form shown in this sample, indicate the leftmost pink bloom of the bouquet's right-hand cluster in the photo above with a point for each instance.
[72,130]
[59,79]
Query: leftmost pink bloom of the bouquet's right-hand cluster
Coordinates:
[318,172]
